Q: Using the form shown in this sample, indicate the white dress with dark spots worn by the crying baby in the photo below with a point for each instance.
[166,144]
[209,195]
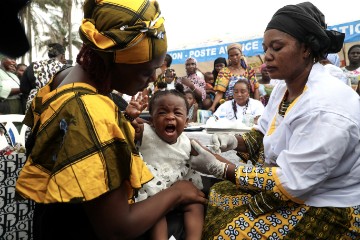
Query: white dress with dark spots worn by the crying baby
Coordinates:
[167,162]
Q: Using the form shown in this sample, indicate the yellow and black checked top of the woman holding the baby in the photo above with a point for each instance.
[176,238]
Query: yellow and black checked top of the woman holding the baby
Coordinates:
[84,148]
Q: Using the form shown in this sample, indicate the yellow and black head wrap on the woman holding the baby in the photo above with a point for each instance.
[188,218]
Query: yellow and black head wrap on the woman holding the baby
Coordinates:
[132,30]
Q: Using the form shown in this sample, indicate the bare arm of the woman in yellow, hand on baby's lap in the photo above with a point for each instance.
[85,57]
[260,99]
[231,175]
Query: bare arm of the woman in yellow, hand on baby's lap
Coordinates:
[113,218]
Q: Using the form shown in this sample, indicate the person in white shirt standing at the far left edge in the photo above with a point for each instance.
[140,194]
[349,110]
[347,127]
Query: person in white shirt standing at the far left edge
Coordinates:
[10,94]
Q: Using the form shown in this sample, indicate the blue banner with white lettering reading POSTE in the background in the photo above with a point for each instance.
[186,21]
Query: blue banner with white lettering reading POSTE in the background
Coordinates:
[253,47]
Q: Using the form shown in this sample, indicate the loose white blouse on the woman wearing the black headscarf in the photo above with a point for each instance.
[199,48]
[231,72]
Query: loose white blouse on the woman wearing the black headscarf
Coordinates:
[316,146]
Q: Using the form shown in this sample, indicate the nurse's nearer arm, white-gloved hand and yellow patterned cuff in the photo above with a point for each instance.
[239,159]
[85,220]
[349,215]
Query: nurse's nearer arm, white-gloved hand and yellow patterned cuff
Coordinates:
[258,179]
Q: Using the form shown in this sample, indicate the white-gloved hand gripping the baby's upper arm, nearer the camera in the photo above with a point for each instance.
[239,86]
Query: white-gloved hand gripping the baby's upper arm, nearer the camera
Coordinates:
[205,162]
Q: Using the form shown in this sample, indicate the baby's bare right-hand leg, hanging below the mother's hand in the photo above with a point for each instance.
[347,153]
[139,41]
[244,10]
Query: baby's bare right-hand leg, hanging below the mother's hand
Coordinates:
[194,221]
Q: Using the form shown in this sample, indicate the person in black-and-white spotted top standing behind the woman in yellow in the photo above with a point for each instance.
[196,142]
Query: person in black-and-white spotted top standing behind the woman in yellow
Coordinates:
[40,72]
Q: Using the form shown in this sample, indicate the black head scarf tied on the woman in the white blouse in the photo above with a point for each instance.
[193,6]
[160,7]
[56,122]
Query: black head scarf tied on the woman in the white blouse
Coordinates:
[306,22]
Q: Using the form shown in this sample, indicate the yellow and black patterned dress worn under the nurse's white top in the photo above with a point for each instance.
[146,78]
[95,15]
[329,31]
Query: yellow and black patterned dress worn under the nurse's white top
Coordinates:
[258,208]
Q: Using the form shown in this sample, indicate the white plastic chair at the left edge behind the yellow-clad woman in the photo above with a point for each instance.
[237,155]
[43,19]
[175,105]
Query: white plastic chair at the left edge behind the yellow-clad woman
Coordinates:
[8,120]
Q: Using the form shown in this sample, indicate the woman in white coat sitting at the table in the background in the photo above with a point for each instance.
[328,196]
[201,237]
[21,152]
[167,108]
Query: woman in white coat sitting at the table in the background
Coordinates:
[241,105]
